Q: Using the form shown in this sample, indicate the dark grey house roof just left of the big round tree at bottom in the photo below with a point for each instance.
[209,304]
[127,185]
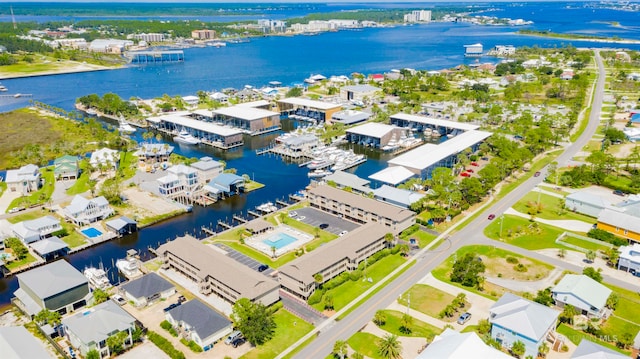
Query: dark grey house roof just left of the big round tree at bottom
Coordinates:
[200,317]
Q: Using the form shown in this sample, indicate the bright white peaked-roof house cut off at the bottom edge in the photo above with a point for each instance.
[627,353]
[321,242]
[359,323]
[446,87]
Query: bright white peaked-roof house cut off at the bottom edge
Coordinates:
[453,345]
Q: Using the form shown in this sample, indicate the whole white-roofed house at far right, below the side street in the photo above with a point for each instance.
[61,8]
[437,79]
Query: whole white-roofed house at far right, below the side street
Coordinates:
[583,293]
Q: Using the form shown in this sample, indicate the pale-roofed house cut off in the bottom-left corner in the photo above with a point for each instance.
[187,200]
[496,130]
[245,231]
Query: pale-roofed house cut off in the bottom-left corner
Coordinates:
[16,342]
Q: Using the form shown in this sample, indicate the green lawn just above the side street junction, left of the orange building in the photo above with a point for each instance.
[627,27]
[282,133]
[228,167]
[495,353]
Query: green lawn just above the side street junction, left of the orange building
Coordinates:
[522,233]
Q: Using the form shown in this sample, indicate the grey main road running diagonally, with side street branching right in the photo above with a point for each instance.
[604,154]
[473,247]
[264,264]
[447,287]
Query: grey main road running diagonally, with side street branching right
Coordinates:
[472,233]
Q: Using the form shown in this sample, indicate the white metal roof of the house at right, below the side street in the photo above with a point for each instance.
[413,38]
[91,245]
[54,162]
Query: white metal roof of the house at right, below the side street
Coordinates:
[584,288]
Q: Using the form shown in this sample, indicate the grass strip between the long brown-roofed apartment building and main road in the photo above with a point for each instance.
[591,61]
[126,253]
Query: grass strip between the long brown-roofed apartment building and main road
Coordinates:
[350,290]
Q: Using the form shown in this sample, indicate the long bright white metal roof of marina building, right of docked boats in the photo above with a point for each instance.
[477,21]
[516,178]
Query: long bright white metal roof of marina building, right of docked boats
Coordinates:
[429,154]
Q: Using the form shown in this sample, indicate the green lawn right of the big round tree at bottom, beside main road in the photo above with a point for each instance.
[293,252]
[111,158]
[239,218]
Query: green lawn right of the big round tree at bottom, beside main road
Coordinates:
[288,331]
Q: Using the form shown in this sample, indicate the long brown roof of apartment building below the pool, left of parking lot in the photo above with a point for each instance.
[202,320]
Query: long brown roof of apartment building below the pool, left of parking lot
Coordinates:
[209,262]
